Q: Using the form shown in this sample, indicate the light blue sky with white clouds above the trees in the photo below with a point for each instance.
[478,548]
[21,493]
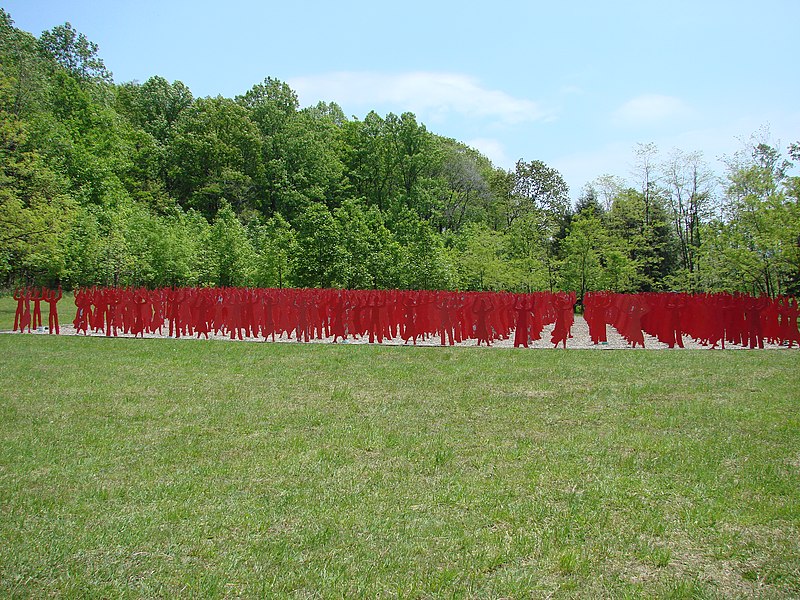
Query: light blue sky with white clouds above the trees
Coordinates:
[576,85]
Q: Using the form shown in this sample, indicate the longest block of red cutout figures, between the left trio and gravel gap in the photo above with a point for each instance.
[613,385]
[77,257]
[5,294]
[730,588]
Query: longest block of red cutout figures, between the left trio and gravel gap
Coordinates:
[309,314]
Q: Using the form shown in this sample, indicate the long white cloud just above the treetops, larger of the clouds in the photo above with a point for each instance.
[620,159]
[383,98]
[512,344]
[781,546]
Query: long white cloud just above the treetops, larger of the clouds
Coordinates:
[429,95]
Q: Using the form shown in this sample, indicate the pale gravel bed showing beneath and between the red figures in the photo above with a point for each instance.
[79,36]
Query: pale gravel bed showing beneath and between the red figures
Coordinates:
[580,340]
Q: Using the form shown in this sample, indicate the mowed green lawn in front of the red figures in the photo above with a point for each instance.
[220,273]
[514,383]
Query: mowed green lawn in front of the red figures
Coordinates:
[163,468]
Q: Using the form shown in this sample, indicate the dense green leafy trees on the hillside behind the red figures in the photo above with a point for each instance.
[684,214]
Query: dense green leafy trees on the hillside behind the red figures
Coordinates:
[143,184]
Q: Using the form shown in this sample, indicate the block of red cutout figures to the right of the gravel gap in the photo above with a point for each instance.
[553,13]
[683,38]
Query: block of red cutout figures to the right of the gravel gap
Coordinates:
[710,319]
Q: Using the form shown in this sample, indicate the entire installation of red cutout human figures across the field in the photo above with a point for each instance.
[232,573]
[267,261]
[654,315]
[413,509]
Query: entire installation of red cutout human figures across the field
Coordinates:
[710,319]
